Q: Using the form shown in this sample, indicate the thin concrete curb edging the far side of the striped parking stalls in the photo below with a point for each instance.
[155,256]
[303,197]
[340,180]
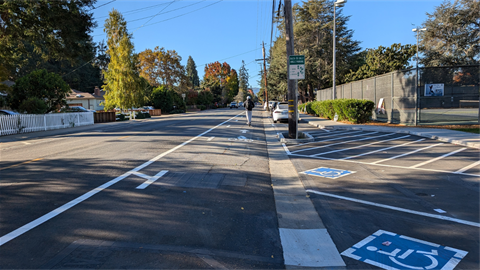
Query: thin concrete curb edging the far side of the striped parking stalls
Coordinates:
[417,133]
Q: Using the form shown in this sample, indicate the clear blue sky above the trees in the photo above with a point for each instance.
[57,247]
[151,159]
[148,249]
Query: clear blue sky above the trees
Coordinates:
[233,30]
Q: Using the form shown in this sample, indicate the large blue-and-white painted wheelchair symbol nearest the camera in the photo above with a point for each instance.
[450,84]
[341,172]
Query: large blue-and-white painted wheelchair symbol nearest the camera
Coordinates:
[397,252]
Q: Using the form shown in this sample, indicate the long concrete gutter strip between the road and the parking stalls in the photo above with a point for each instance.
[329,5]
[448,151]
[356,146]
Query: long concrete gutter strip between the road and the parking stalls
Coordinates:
[305,240]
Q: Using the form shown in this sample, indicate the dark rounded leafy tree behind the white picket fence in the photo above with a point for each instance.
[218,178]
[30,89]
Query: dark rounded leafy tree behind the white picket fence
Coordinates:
[46,86]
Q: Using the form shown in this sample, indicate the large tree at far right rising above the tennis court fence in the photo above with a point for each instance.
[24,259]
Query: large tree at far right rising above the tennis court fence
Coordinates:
[453,34]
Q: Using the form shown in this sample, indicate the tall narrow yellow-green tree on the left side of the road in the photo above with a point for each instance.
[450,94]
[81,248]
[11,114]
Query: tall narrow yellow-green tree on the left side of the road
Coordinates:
[122,80]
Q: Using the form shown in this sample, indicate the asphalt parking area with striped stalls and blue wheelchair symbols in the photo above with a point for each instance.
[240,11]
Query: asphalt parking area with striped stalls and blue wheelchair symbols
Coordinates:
[396,183]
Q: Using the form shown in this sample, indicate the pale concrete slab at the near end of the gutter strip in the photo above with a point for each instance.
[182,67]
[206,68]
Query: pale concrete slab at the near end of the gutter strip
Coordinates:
[309,248]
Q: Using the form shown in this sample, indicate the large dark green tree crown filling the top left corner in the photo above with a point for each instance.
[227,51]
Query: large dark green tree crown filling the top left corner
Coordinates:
[54,30]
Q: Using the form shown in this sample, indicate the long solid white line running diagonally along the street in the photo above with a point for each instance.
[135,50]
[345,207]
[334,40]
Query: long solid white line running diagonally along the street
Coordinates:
[12,235]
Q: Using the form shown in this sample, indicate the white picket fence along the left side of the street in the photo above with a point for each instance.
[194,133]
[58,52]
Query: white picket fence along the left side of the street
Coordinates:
[23,123]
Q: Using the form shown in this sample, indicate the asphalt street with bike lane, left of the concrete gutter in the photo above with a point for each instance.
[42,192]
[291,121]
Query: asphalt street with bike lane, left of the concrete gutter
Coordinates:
[179,192]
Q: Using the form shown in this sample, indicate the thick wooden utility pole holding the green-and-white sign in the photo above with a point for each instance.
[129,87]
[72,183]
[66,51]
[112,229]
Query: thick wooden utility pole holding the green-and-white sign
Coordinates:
[292,93]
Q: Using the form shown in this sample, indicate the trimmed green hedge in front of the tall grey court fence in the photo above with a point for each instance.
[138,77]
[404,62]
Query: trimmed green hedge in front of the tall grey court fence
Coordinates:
[357,111]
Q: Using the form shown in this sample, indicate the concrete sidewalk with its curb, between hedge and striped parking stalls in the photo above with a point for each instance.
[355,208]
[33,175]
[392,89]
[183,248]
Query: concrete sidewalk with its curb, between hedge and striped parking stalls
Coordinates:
[445,135]
